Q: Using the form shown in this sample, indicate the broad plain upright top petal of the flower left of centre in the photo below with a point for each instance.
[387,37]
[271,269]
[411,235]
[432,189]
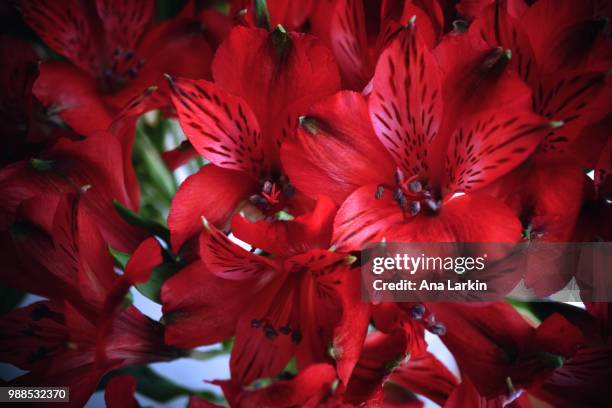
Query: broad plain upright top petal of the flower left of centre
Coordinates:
[278,90]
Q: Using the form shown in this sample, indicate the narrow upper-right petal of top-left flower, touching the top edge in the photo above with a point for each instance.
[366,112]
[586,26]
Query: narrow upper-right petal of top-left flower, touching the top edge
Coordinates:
[124,22]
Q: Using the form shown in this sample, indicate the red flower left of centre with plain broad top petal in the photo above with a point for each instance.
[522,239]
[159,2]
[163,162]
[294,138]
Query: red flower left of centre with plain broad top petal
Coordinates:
[263,81]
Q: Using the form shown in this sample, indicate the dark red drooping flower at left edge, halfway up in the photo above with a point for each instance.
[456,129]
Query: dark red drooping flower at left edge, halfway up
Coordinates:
[94,165]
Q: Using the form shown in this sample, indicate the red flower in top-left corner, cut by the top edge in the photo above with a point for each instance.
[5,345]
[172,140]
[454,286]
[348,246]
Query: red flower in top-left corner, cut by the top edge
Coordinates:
[115,52]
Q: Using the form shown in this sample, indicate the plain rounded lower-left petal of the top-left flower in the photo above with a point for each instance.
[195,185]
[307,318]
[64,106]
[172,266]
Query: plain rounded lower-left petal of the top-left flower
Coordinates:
[74,95]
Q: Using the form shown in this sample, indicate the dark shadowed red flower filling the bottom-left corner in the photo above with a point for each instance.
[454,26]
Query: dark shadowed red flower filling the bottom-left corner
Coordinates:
[84,330]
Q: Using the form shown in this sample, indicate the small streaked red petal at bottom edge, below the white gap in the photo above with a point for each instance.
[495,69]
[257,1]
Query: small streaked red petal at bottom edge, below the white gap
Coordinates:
[427,376]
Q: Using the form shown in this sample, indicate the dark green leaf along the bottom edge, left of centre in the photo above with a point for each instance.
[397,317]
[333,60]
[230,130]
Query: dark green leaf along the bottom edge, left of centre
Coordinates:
[156,387]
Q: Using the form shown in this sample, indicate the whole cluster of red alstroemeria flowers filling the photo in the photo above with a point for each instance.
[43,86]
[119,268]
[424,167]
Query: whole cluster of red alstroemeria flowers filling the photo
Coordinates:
[326,124]
